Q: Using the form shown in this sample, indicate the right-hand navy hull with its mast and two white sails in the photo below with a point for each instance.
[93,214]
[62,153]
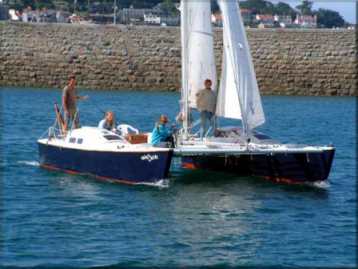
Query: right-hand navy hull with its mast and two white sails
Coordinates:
[240,150]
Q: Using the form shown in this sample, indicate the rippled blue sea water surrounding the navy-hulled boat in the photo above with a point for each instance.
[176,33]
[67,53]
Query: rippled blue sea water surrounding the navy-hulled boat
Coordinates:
[49,218]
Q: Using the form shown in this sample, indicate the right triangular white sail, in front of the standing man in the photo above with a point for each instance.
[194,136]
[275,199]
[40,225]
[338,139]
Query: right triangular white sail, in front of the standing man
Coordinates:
[238,71]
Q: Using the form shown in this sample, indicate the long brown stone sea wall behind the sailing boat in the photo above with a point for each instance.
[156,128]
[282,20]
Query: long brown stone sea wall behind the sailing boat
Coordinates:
[287,62]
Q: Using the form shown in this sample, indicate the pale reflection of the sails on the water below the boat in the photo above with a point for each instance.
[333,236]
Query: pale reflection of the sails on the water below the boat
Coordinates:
[216,215]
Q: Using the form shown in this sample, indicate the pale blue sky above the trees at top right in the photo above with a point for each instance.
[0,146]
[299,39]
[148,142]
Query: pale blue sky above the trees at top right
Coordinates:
[347,8]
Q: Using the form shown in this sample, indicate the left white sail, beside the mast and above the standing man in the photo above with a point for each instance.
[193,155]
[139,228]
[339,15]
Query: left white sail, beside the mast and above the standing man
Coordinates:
[200,48]
